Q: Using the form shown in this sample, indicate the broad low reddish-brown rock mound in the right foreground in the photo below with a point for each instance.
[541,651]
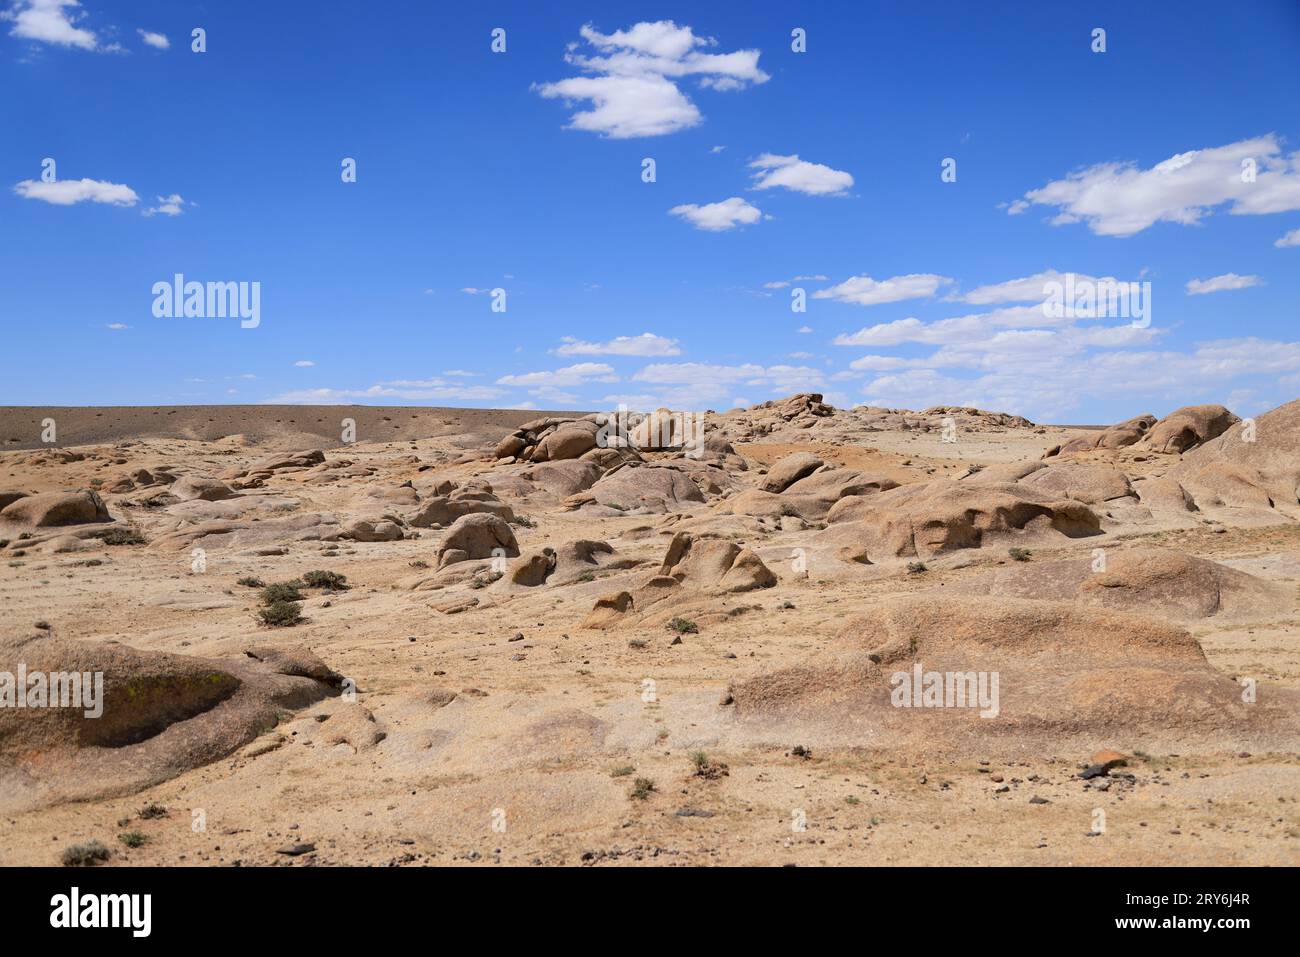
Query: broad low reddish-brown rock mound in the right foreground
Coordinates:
[974,677]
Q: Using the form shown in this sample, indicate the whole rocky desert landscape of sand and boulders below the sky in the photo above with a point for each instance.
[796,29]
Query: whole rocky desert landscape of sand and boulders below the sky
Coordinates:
[432,636]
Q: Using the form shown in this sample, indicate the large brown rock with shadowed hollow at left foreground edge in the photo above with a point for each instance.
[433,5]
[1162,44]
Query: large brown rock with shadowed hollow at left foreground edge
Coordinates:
[158,717]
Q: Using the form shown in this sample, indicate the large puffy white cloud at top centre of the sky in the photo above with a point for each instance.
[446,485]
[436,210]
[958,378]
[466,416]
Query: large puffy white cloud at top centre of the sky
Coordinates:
[632,86]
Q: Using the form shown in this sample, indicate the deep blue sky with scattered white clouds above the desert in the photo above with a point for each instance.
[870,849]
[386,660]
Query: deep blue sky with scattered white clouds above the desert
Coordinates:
[818,170]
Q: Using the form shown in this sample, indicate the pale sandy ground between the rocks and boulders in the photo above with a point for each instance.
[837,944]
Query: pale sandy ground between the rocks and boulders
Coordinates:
[535,761]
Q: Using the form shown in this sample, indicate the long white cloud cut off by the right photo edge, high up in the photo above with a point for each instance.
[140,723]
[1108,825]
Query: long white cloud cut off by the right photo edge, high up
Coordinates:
[1123,200]
